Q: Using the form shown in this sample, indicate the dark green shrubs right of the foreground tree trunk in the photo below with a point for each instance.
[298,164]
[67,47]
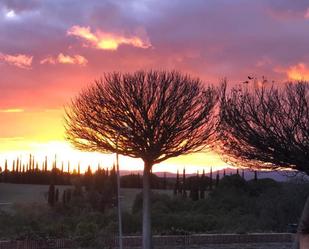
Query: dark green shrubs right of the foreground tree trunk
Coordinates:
[235,206]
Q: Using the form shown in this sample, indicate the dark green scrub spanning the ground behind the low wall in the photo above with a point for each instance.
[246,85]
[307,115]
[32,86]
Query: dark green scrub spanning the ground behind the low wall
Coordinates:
[234,206]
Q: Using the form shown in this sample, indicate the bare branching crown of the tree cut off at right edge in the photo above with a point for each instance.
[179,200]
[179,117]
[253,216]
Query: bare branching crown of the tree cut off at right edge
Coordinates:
[266,127]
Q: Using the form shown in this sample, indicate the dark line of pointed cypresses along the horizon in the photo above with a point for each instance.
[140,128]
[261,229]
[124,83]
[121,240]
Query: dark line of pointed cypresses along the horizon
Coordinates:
[194,187]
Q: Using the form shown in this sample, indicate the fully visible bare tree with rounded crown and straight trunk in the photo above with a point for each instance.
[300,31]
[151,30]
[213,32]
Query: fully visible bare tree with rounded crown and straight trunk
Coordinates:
[152,115]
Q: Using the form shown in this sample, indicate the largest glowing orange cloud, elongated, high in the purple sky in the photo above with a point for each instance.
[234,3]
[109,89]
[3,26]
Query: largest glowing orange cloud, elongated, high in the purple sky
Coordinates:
[107,41]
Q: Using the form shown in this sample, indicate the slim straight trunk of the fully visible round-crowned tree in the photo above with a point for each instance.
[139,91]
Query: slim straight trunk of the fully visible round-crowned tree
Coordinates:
[147,238]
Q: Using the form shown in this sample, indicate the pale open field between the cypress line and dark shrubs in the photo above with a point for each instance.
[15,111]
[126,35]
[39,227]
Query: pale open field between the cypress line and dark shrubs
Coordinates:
[28,193]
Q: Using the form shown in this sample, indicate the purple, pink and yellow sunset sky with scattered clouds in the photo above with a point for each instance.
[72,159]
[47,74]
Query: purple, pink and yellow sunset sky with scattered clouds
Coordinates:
[50,50]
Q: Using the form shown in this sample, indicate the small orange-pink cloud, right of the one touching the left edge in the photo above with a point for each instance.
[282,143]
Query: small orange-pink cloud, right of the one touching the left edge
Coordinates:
[65,59]
